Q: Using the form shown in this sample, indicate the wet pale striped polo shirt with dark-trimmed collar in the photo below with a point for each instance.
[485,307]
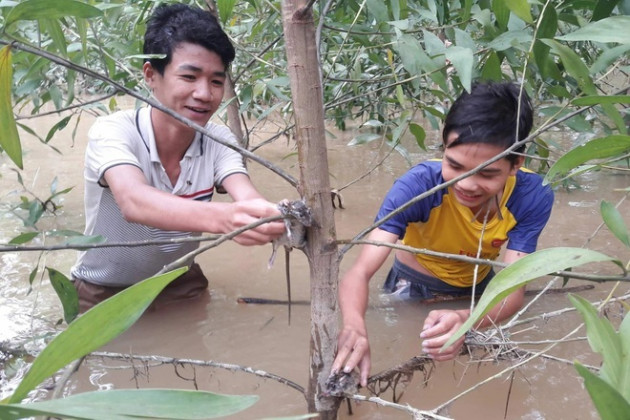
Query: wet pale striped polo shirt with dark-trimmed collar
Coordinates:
[127,138]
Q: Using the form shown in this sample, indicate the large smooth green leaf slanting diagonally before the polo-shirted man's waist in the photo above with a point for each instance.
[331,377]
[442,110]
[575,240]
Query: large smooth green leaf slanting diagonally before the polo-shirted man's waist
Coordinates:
[93,329]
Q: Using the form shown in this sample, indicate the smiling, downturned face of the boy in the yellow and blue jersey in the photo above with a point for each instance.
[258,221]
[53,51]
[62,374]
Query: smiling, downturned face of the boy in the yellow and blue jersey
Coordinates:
[476,190]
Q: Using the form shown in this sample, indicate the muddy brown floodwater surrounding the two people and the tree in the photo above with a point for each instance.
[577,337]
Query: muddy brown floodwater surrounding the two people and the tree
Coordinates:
[218,328]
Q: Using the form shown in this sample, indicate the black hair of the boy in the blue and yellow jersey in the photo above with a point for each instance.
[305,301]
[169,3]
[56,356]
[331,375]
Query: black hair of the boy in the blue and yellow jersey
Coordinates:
[490,114]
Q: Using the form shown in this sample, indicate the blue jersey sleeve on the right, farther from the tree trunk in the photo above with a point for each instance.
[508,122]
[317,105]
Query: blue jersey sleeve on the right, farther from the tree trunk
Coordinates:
[532,211]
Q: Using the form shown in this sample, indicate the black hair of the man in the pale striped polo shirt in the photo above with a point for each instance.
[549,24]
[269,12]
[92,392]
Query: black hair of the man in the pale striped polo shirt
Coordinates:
[170,25]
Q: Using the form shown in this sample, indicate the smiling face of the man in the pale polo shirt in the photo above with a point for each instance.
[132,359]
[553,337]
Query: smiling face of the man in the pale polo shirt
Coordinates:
[192,84]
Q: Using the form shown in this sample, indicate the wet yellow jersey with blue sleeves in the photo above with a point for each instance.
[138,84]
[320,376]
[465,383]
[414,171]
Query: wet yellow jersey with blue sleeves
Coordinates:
[440,223]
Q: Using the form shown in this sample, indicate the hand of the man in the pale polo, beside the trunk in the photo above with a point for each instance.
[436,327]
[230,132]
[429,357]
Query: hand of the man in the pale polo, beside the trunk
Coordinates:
[245,212]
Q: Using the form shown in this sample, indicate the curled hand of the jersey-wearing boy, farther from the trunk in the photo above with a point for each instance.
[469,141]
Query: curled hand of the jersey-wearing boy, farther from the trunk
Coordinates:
[438,327]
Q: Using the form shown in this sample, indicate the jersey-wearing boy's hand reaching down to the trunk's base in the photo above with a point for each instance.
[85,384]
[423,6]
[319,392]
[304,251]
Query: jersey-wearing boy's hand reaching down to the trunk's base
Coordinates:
[353,349]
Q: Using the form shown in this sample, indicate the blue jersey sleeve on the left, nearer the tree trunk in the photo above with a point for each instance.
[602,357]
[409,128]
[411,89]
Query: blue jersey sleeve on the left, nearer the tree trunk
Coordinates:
[416,181]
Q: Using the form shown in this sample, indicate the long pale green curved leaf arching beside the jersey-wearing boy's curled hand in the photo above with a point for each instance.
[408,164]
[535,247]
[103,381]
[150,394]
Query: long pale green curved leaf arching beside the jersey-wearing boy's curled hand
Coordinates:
[518,274]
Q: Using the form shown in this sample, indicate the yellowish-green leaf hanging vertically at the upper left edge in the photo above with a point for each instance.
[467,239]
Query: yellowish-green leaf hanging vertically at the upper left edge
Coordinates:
[10,139]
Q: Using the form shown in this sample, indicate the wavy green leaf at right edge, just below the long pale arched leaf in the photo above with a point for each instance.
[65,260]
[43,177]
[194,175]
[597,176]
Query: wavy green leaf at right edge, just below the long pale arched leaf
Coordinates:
[603,340]
